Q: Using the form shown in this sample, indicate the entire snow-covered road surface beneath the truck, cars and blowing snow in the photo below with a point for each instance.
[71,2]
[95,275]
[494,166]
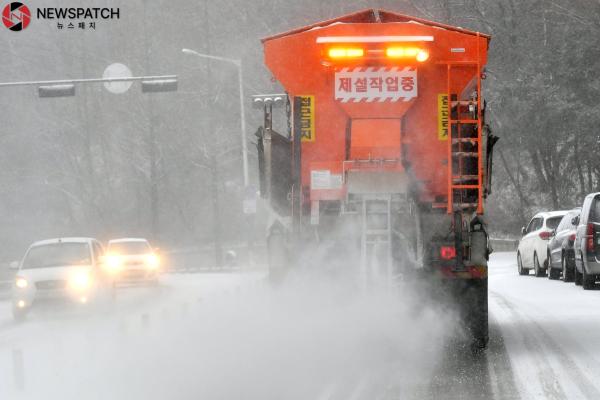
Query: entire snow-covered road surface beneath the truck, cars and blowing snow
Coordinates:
[232,336]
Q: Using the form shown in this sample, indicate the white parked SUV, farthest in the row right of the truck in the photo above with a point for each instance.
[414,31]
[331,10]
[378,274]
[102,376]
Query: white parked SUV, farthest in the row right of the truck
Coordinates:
[533,247]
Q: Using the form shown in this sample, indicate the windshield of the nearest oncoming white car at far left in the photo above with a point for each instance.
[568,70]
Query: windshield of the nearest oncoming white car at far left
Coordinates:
[57,255]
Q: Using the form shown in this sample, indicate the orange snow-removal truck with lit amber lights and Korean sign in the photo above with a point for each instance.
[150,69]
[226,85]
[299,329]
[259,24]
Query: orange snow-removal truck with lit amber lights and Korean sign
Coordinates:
[387,157]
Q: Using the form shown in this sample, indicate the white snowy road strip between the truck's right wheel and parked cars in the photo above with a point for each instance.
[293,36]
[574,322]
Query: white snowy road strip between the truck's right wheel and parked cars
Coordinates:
[551,331]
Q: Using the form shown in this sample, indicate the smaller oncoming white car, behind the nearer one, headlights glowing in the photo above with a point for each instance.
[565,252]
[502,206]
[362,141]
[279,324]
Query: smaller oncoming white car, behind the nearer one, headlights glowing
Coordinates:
[132,260]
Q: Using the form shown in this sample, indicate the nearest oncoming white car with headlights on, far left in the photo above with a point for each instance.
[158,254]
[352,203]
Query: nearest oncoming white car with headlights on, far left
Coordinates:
[65,269]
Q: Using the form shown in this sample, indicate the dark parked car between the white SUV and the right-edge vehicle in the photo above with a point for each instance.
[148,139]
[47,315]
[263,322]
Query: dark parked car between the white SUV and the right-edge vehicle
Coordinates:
[560,248]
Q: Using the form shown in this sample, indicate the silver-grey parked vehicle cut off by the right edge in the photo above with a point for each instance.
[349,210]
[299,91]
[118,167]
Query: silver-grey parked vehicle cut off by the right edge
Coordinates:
[587,242]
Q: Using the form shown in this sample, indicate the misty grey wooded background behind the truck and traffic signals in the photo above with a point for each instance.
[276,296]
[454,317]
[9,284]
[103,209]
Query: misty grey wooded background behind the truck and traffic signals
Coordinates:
[82,165]
